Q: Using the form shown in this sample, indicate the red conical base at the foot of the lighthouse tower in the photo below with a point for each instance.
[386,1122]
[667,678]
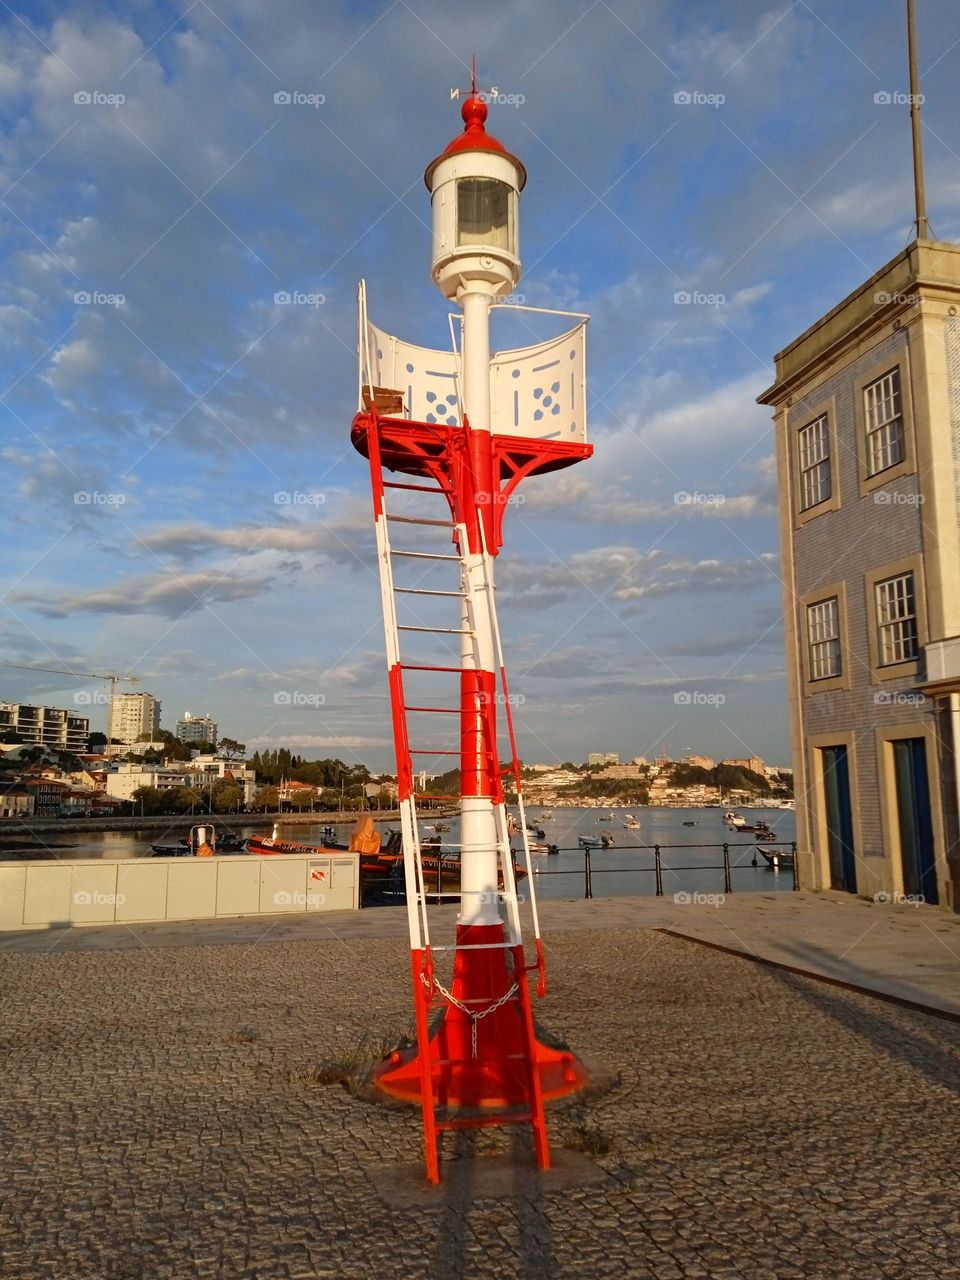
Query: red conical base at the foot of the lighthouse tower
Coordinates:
[487,1062]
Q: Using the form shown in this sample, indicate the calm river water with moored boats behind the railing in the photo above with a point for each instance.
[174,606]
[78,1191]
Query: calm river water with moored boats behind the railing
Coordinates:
[616,872]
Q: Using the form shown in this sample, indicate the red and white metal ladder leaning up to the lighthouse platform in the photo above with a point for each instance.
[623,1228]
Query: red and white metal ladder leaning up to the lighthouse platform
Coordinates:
[519,1057]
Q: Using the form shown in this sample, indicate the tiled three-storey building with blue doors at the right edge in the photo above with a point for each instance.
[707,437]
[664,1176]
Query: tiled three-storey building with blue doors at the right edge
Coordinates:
[867,422]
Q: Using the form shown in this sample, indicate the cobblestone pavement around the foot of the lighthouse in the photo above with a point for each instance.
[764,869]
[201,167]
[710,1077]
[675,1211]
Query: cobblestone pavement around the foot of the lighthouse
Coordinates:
[161,1117]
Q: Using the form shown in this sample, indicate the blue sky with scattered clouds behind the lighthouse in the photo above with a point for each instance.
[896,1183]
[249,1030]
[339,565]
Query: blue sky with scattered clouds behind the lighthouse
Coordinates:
[184,409]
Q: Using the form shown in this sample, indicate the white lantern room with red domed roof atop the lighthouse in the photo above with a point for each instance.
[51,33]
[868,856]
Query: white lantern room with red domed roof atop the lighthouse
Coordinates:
[474,191]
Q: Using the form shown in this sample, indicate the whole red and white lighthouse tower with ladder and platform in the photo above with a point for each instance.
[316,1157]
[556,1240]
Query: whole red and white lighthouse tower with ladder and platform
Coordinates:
[464,428]
